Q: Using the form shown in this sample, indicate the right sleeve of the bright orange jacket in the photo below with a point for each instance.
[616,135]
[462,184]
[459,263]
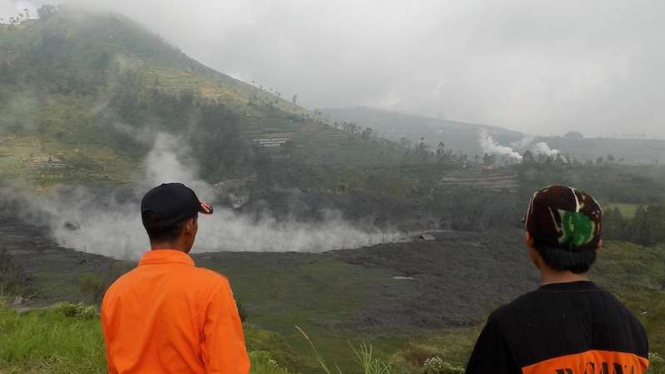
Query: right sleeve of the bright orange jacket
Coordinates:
[223,338]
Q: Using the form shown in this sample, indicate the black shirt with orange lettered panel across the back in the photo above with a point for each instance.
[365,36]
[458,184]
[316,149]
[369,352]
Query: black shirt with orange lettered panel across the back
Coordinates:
[563,328]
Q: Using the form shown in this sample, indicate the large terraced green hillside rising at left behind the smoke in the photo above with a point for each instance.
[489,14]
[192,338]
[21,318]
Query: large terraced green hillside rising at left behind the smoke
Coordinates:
[82,95]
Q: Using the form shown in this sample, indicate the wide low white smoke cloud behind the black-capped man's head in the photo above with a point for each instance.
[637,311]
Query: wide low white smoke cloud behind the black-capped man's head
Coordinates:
[112,226]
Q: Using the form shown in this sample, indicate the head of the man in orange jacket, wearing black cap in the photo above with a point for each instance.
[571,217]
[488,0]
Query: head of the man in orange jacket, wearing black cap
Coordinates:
[170,216]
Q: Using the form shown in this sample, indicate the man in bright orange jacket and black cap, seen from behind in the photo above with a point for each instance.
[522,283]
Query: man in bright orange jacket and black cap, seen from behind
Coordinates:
[168,316]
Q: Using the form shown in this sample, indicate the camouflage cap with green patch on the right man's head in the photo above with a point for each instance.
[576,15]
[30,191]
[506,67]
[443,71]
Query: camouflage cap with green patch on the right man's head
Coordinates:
[562,217]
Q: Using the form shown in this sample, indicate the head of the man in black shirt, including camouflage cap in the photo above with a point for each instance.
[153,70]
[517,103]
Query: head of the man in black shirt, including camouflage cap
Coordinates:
[563,229]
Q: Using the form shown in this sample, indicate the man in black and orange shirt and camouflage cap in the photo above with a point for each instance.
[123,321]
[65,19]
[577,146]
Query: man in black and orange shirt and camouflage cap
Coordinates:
[568,325]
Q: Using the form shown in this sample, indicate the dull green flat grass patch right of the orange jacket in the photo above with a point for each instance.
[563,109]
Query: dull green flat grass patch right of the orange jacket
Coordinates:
[314,293]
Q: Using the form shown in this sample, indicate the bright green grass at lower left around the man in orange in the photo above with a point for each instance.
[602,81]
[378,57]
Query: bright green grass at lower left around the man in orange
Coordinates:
[67,338]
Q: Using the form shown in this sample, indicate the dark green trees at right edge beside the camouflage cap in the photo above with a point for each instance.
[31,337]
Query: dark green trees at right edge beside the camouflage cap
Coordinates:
[647,227]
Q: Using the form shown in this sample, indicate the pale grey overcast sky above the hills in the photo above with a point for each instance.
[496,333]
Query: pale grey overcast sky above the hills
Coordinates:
[538,66]
